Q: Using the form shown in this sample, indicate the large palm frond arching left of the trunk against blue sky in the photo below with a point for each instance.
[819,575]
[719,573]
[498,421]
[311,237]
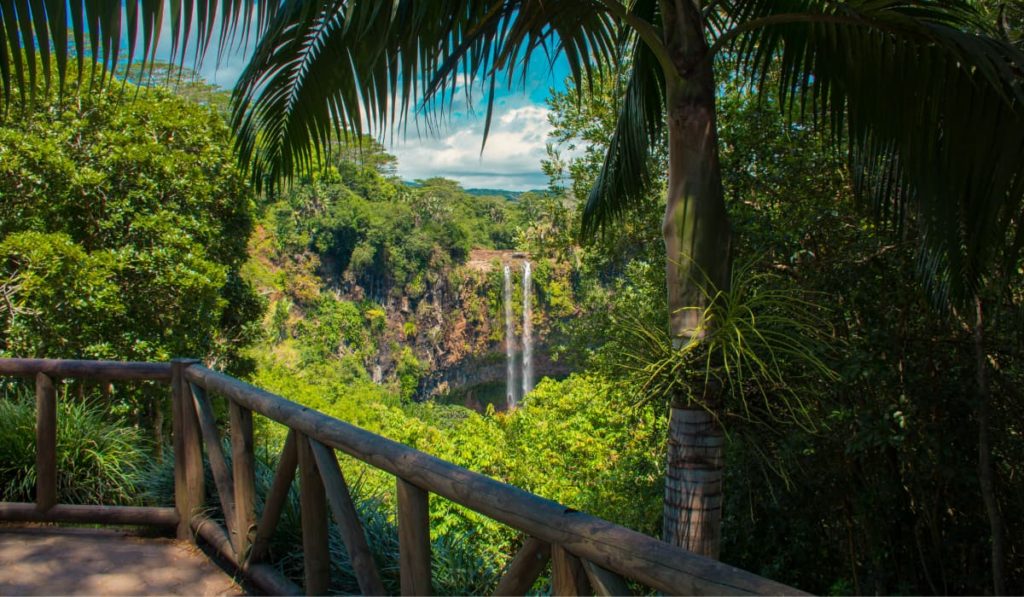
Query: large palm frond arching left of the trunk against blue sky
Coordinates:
[330,69]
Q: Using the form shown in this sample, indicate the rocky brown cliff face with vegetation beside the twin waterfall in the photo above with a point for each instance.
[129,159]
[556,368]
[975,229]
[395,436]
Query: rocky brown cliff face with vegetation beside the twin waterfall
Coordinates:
[441,333]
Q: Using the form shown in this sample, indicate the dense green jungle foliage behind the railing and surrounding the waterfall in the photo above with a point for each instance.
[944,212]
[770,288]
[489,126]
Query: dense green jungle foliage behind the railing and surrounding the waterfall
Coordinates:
[127,234]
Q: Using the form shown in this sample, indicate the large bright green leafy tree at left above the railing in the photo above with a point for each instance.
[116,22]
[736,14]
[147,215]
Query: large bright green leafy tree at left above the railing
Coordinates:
[124,224]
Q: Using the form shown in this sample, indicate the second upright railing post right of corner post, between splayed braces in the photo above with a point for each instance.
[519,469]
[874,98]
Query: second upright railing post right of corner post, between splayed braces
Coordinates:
[316,553]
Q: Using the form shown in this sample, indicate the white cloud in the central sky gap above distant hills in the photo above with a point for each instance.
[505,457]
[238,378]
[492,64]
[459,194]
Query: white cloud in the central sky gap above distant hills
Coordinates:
[510,160]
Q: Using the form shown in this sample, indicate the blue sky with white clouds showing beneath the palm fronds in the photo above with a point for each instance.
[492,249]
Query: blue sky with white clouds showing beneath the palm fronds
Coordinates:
[516,146]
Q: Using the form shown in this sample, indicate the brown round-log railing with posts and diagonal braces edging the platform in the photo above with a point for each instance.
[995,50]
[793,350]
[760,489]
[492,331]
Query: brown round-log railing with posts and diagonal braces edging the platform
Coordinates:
[588,556]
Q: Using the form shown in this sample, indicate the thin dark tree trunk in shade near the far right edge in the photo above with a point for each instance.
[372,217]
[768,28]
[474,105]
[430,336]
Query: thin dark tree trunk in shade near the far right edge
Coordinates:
[987,474]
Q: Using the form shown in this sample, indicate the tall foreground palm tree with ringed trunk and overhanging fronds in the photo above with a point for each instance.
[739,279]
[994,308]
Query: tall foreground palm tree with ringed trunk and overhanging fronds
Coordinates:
[926,97]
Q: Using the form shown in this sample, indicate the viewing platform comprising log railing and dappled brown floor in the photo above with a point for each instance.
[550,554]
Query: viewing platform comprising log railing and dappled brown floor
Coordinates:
[587,556]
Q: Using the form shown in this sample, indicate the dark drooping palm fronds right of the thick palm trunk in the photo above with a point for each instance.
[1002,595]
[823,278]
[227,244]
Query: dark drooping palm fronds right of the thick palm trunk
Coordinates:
[932,111]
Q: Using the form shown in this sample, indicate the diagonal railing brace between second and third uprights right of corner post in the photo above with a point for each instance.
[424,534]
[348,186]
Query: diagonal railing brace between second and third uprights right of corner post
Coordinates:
[348,520]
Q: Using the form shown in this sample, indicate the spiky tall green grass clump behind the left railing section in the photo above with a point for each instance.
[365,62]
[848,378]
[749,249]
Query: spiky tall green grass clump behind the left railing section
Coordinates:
[100,460]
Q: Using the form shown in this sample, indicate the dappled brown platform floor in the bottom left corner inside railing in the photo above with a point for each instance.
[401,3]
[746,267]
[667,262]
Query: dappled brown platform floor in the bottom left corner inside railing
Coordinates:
[102,562]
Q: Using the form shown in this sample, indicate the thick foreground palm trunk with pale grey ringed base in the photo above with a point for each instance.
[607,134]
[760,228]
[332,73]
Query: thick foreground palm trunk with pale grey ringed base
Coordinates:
[697,241]
